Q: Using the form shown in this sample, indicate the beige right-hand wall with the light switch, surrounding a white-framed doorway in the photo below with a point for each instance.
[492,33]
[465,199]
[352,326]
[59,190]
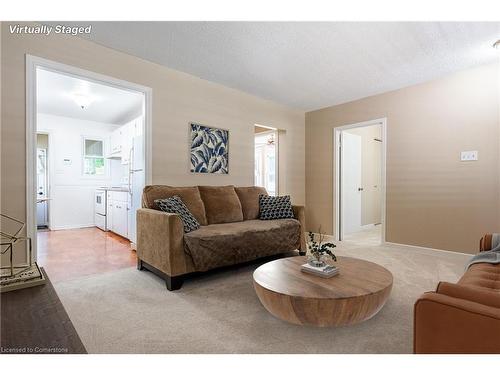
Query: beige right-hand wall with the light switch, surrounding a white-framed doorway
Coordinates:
[433,199]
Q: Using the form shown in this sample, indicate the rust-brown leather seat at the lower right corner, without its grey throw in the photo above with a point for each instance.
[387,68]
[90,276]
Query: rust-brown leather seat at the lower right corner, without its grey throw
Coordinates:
[462,317]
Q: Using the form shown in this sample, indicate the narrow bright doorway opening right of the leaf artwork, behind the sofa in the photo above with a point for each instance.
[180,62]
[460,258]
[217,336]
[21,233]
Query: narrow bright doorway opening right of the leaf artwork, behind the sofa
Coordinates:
[266,158]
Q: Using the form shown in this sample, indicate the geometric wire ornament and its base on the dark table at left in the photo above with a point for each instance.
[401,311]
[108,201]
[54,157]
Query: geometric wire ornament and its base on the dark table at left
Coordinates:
[22,275]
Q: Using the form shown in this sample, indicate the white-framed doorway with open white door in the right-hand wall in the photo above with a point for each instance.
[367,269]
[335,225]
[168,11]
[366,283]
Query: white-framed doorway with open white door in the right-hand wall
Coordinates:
[359,186]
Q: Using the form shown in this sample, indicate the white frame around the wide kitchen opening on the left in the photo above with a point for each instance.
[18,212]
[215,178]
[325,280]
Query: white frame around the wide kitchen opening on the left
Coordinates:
[34,62]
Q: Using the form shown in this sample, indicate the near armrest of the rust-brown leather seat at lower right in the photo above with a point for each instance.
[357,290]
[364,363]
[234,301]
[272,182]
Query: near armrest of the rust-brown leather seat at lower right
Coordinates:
[445,324]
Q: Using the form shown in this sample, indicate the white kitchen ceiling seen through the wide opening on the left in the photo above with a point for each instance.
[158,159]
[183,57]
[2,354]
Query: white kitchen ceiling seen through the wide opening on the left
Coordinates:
[56,92]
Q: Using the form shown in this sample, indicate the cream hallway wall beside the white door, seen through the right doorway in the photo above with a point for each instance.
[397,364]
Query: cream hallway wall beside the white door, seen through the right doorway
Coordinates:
[371,173]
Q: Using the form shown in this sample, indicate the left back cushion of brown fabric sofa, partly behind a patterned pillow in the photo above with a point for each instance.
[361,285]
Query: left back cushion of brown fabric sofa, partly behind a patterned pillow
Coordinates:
[190,195]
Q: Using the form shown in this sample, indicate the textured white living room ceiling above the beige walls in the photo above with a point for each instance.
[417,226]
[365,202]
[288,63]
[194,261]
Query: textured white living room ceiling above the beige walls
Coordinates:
[307,65]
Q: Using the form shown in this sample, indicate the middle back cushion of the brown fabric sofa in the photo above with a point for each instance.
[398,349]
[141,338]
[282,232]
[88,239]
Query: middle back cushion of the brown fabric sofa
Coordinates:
[222,204]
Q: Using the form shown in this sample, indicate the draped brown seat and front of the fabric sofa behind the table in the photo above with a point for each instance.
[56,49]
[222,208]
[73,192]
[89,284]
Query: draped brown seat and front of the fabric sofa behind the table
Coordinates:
[226,244]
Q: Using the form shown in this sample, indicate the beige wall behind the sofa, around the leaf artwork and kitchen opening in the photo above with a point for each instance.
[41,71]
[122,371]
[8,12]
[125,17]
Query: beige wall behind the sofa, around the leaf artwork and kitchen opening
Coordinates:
[178,98]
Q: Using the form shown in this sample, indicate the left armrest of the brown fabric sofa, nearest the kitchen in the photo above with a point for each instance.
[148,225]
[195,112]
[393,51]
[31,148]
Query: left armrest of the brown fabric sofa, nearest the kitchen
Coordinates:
[160,241]
